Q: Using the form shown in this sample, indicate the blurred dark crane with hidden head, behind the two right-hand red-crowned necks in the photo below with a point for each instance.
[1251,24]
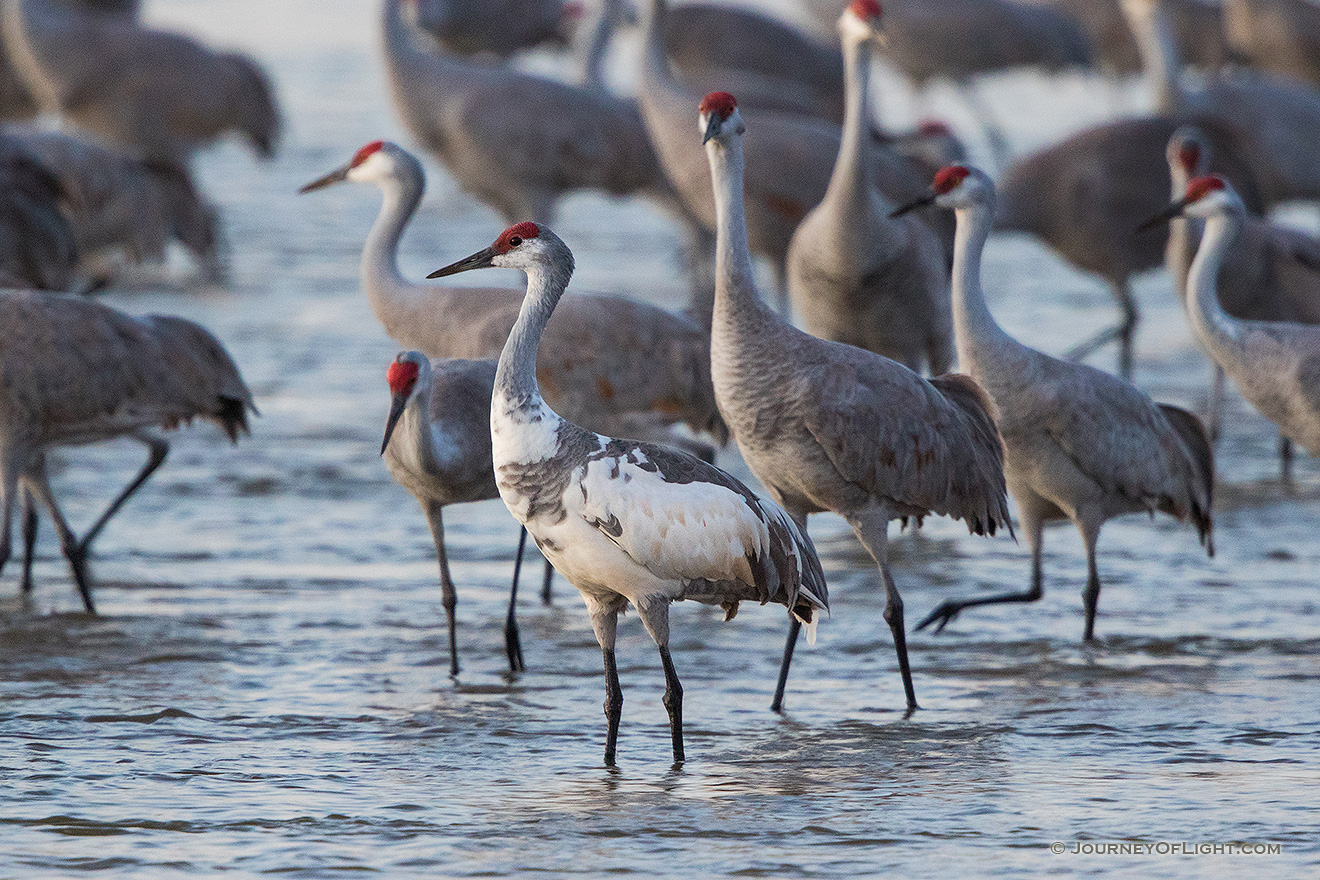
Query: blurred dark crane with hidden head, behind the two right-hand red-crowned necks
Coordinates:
[1086,195]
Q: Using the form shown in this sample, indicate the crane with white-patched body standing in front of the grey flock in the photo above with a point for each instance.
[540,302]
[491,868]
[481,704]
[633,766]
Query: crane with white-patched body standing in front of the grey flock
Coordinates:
[628,522]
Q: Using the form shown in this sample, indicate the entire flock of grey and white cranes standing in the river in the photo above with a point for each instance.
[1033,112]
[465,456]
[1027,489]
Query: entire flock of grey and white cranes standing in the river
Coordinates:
[761,142]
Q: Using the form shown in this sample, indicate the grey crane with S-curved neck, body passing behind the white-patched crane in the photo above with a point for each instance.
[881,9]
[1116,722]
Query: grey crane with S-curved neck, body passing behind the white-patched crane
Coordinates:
[605,361]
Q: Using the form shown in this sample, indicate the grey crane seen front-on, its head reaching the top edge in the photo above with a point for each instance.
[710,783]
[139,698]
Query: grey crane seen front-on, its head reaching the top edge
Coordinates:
[856,275]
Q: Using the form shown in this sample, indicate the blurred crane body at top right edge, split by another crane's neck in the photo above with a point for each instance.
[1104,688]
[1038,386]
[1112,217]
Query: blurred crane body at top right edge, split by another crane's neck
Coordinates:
[1195,24]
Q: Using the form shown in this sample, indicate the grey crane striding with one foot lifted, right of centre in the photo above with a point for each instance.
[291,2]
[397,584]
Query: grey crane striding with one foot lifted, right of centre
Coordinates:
[1080,444]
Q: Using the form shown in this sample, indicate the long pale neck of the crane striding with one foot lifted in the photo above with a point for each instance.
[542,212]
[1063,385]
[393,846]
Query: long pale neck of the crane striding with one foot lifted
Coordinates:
[975,328]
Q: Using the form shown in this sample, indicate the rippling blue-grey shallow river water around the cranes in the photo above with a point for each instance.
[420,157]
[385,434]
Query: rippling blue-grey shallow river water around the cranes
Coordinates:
[266,689]
